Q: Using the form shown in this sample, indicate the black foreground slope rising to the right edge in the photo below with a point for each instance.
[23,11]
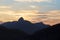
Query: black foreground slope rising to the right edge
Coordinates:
[50,33]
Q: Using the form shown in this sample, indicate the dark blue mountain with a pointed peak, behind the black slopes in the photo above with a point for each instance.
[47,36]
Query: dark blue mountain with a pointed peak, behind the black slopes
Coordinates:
[25,25]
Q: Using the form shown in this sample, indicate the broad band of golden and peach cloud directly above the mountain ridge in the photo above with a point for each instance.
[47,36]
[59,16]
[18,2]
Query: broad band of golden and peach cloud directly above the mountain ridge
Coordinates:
[50,17]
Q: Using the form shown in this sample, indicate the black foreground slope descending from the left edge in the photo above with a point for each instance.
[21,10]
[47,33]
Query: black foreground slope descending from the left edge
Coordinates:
[9,34]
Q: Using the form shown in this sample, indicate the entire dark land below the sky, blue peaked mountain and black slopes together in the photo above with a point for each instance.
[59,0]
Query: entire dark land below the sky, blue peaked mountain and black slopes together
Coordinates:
[21,30]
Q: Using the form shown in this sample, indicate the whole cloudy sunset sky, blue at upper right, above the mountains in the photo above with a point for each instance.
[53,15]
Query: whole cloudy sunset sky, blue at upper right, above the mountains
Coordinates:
[47,11]
